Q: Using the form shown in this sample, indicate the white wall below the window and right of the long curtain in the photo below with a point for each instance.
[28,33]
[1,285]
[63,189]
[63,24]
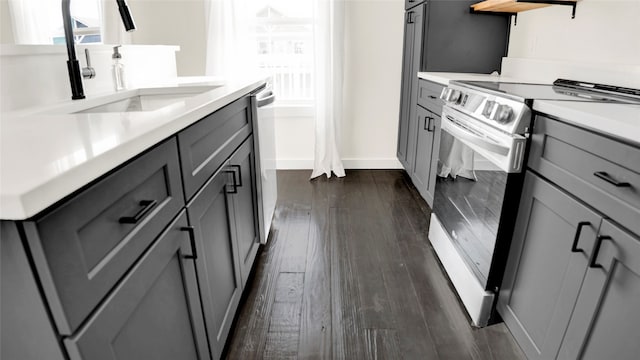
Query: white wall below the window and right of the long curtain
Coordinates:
[373,56]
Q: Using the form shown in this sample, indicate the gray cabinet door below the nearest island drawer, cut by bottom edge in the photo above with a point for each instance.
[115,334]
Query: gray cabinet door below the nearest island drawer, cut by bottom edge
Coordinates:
[154,313]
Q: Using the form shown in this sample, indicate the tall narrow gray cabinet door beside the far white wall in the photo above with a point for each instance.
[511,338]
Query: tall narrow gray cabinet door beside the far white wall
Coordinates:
[417,19]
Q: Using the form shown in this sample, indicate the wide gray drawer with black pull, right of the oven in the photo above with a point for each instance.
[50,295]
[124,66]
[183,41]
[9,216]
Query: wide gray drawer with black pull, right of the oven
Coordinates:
[600,171]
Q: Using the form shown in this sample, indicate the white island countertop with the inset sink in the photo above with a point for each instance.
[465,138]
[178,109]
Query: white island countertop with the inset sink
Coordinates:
[47,153]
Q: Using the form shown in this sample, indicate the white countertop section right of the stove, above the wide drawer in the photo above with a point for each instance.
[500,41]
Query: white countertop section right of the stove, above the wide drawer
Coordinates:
[621,121]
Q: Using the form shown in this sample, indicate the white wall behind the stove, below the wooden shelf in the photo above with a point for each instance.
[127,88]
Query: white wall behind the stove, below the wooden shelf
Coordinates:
[601,44]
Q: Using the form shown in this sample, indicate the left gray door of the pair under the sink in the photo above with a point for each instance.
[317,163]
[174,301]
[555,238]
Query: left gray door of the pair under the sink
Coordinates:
[211,214]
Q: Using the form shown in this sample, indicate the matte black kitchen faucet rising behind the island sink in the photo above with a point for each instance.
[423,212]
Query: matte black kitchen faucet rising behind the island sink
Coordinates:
[73,66]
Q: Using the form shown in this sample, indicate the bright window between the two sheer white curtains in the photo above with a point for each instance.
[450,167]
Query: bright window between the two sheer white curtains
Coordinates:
[284,36]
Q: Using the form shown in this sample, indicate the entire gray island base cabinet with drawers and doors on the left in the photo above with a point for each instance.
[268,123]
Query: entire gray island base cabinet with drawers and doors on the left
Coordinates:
[124,270]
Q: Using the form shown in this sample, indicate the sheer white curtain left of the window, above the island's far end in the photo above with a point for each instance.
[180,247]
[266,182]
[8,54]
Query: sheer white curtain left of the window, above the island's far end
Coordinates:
[230,51]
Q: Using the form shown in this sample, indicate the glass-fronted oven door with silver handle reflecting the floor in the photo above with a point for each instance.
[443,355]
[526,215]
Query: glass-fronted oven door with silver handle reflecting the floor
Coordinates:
[474,164]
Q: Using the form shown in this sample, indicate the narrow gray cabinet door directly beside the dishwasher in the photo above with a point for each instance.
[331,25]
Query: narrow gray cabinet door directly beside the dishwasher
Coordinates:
[245,206]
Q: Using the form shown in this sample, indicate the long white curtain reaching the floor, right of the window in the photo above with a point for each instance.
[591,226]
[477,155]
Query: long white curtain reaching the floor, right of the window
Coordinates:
[329,54]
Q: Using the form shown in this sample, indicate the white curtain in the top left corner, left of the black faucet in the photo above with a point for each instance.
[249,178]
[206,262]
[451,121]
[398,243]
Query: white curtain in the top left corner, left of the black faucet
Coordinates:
[34,21]
